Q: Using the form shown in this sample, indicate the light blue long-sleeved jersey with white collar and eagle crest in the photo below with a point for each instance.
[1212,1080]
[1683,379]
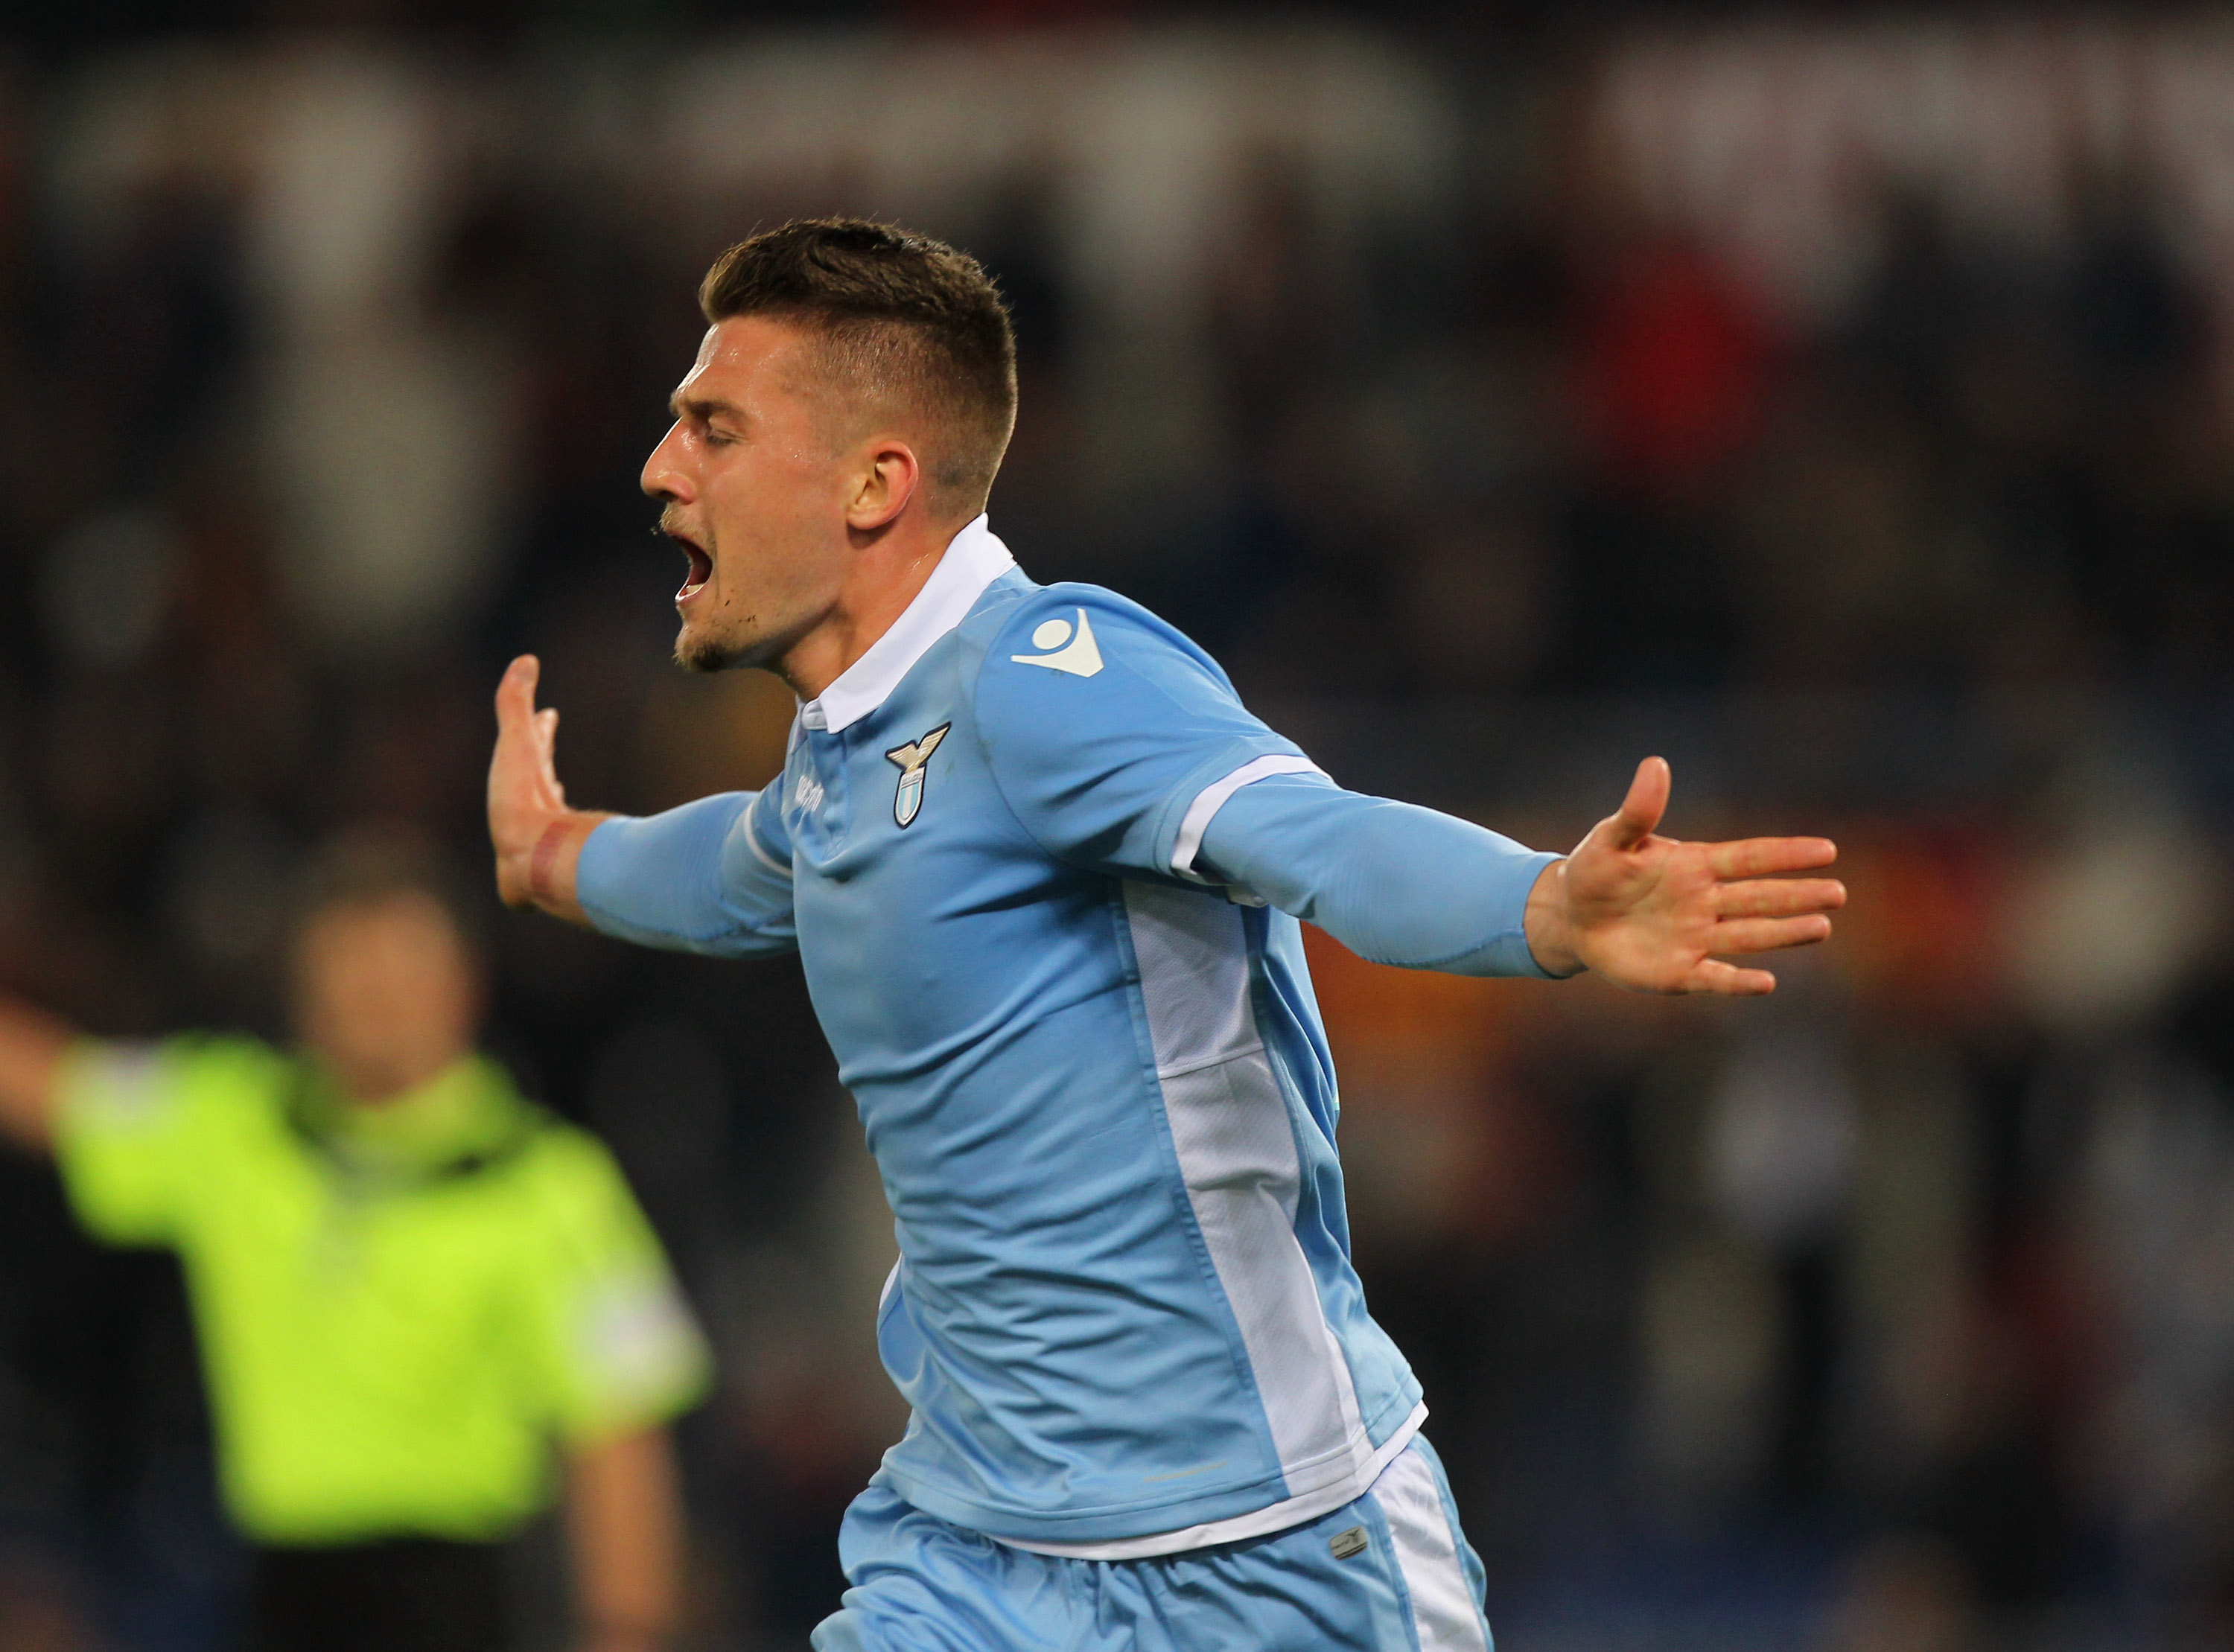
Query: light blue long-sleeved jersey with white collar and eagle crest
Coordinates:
[1024,849]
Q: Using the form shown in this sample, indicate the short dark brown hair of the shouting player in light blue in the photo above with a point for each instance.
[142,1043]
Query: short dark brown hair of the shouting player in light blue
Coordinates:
[901,314]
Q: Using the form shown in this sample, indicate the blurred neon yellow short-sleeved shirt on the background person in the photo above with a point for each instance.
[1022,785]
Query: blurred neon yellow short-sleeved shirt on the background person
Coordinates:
[403,1307]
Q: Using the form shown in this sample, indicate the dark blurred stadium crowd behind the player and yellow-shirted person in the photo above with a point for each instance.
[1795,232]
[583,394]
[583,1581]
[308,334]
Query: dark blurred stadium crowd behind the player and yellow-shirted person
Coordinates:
[1842,412]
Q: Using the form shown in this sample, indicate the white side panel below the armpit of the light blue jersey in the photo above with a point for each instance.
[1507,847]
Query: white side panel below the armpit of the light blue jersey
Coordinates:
[1239,1158]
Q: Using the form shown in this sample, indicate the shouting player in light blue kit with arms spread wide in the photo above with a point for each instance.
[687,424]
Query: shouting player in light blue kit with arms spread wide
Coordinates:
[1047,874]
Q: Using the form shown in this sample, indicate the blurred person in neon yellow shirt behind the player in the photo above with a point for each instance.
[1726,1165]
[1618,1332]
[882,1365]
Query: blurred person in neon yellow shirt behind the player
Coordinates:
[410,1285]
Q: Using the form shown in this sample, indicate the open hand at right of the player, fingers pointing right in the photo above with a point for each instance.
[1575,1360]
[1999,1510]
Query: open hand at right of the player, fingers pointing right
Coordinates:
[1657,914]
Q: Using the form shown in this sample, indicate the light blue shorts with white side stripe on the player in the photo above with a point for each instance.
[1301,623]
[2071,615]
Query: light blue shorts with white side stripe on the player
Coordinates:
[1388,1573]
